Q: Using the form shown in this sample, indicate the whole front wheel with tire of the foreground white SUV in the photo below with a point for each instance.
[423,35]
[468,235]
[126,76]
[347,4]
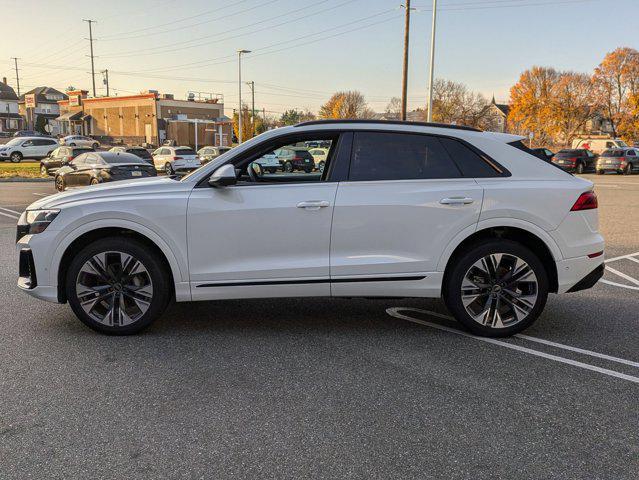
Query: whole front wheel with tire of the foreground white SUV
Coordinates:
[117,286]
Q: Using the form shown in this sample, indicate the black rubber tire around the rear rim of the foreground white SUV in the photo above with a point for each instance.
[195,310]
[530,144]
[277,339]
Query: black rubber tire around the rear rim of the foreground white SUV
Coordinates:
[456,271]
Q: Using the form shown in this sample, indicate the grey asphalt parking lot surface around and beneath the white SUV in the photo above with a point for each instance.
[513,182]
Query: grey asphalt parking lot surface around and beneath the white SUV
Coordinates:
[317,388]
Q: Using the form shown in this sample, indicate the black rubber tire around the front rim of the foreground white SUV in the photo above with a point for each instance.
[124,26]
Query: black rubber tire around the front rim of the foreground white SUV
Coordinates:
[160,297]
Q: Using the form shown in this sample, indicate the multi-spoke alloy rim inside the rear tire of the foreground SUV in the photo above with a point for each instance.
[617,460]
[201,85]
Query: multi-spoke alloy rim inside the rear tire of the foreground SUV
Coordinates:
[499,290]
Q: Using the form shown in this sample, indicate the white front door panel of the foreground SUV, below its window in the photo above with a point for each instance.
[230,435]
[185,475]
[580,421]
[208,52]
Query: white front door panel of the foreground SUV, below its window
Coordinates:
[268,239]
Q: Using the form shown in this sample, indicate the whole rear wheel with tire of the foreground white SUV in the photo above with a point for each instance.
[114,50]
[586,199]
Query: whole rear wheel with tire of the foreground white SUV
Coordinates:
[496,288]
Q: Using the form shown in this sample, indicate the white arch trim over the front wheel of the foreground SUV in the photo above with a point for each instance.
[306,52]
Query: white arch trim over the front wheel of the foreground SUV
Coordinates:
[90,232]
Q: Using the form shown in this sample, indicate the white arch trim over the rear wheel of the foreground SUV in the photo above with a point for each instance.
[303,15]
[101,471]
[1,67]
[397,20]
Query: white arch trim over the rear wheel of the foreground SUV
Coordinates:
[533,238]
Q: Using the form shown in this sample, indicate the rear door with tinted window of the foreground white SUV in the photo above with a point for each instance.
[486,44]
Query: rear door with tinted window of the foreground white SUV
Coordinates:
[405,200]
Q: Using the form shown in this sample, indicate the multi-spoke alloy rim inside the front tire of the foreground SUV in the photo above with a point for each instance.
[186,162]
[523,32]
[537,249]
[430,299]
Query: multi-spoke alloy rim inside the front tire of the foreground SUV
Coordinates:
[114,288]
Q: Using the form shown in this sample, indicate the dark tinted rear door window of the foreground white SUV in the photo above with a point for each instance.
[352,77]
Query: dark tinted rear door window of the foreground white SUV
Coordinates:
[399,156]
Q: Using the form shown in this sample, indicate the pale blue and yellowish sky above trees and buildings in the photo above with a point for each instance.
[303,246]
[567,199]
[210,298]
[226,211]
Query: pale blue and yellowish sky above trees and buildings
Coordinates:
[302,50]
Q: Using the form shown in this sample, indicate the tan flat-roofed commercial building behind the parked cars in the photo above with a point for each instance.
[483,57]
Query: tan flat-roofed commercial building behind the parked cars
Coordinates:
[147,117]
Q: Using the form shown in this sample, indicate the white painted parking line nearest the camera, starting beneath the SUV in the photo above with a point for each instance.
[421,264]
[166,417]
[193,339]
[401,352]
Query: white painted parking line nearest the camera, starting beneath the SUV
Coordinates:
[394,312]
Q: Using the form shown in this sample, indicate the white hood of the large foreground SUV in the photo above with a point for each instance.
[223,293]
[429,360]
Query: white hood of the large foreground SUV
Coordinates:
[125,188]
